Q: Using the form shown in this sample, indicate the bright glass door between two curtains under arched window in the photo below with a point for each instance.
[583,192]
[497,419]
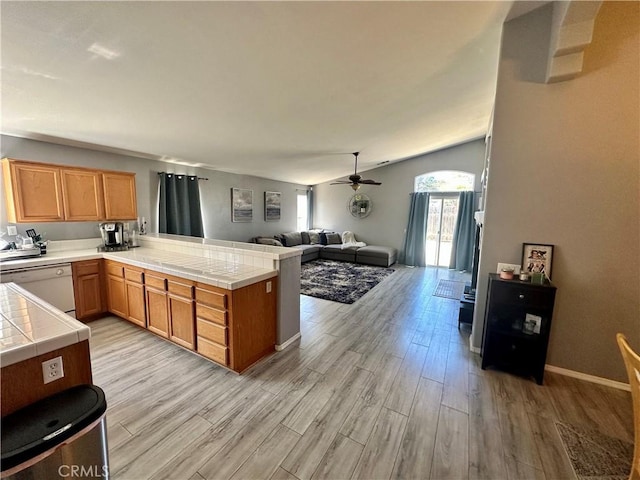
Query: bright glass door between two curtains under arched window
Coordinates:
[441,223]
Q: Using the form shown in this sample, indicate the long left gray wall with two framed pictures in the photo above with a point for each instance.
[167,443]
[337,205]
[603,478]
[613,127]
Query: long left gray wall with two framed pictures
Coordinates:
[215,193]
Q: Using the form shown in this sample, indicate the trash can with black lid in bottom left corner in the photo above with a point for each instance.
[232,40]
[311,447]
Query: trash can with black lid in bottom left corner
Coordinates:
[63,436]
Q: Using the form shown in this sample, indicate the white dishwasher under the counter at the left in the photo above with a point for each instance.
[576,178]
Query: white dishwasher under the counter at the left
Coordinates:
[51,283]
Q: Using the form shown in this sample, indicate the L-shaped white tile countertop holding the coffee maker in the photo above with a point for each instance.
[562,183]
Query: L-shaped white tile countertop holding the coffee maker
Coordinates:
[219,273]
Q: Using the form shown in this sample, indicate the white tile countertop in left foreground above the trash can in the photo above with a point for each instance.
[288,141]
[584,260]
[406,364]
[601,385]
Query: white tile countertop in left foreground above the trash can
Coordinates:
[31,327]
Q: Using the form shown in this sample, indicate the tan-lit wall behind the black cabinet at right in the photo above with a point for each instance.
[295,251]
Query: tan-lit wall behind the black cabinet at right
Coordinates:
[565,171]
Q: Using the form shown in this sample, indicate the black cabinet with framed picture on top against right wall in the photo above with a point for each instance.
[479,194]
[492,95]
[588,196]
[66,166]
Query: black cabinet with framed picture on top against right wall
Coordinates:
[516,326]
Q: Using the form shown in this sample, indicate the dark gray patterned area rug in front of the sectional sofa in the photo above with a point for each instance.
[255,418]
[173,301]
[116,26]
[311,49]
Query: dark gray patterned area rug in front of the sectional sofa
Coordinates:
[340,281]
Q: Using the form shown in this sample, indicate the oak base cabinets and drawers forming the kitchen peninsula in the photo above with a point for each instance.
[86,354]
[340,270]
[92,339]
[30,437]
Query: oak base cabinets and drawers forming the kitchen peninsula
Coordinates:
[234,328]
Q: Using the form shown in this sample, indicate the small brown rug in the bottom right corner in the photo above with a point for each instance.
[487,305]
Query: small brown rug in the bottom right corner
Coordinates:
[595,455]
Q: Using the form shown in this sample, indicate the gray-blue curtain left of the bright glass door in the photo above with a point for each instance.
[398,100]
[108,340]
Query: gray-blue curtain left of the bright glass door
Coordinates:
[413,251]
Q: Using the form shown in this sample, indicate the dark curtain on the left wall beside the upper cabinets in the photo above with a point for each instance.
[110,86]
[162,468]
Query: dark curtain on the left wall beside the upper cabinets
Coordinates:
[179,208]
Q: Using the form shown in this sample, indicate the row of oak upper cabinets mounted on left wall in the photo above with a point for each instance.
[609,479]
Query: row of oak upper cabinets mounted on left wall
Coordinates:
[37,192]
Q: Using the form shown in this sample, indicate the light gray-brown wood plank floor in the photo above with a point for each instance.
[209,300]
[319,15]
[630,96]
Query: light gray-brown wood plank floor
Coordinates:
[384,388]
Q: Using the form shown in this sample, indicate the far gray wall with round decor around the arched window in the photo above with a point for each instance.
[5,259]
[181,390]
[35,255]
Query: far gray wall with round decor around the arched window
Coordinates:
[388,219]
